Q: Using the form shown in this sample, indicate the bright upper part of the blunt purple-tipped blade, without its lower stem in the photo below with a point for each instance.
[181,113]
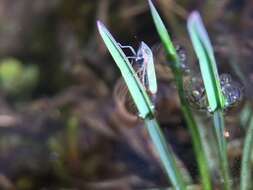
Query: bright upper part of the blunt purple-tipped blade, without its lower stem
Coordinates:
[204,51]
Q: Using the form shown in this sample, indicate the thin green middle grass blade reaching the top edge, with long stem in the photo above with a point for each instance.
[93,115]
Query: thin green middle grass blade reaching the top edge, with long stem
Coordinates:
[191,123]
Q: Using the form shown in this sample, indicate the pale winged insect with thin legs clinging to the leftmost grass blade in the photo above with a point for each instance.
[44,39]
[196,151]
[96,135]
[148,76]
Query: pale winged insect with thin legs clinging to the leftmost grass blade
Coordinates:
[144,63]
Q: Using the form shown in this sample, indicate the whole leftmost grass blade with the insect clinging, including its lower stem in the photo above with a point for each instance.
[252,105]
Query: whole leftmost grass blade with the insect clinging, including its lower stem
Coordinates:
[145,108]
